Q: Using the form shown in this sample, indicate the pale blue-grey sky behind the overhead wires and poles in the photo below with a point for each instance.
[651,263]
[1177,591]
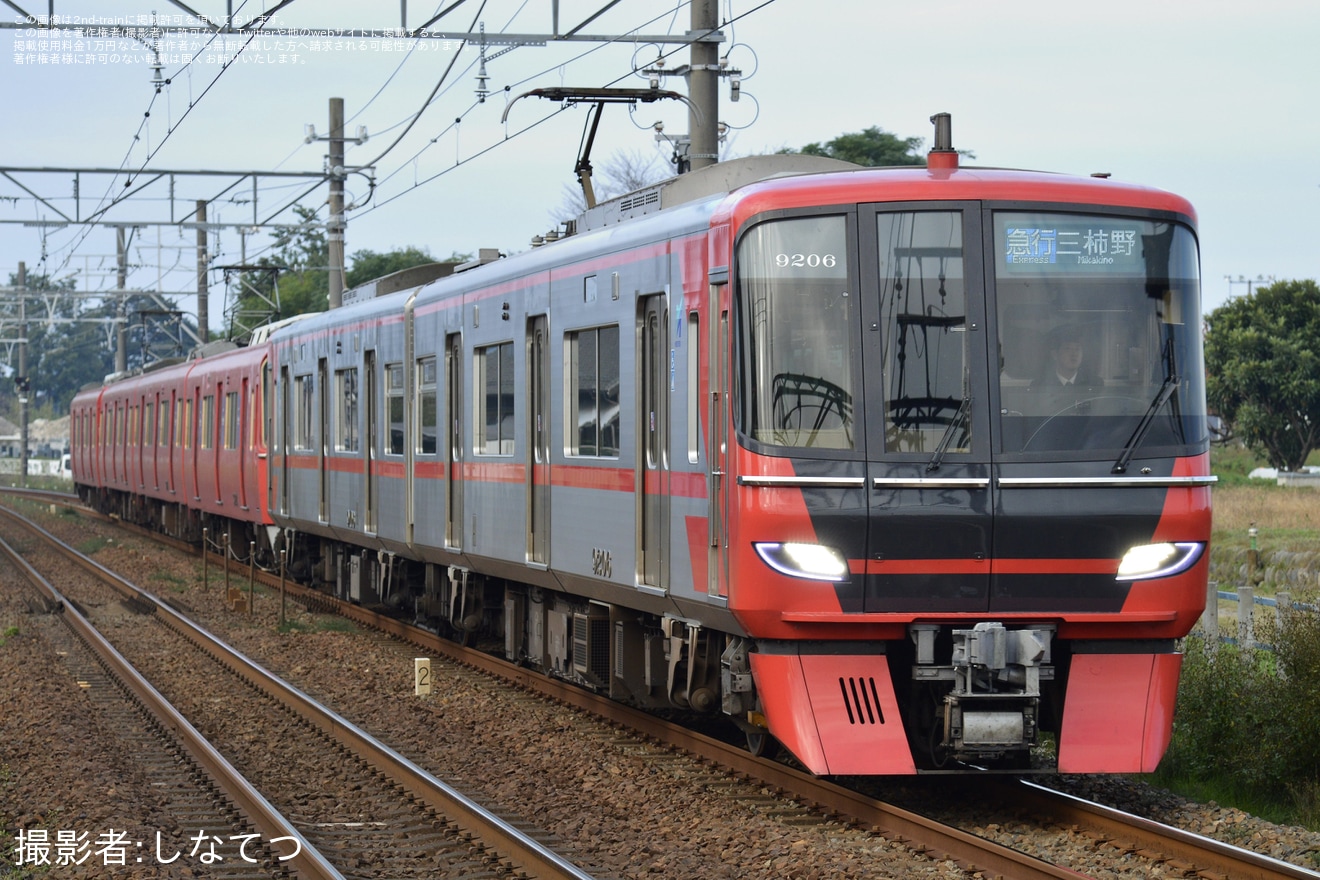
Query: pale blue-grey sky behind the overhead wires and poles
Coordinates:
[1211,100]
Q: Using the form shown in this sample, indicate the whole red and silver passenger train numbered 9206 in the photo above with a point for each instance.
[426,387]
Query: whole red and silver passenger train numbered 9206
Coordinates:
[905,470]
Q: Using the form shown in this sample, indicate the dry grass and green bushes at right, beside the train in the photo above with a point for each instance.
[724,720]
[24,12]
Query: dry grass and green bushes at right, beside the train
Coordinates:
[1244,736]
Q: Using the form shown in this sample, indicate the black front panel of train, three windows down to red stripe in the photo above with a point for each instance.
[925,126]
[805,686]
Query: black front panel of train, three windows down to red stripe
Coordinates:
[934,360]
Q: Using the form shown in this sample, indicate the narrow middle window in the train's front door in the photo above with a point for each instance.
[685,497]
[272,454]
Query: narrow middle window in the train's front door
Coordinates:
[925,340]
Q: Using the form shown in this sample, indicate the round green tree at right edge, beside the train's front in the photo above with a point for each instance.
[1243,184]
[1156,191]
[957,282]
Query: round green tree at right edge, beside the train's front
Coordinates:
[1263,360]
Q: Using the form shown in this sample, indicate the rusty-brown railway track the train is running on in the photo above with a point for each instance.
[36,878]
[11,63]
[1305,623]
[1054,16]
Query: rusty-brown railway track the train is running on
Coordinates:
[798,798]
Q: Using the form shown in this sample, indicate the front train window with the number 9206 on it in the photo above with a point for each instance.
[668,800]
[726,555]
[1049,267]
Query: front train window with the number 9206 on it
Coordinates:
[798,313]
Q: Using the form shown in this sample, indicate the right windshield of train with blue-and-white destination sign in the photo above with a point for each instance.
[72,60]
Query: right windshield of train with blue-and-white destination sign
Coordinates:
[1099,328]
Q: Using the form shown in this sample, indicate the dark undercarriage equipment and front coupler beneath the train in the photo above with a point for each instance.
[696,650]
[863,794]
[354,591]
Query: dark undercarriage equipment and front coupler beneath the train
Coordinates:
[977,696]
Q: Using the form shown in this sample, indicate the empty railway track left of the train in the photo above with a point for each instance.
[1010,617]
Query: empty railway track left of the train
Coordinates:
[418,827]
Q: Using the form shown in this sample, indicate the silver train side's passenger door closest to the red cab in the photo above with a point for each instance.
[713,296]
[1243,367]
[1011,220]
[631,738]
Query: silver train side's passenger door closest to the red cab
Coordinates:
[654,439]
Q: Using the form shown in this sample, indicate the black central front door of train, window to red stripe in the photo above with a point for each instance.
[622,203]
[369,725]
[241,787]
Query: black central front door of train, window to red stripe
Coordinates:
[927,448]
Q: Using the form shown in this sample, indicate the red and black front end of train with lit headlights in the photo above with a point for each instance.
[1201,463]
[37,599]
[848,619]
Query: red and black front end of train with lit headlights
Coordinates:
[967,485]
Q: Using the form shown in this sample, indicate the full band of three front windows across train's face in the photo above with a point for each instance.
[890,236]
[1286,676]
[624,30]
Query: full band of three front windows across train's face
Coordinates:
[1084,334]
